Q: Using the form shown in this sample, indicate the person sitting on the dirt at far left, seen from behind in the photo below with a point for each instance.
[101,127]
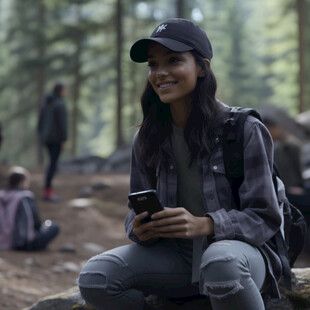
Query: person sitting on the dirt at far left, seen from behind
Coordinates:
[20,224]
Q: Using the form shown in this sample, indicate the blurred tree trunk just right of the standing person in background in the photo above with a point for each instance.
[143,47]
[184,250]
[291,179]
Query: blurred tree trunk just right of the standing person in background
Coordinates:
[76,87]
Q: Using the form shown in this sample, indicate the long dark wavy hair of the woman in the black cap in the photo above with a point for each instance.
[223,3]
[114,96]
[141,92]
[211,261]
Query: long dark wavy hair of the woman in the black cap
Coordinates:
[202,125]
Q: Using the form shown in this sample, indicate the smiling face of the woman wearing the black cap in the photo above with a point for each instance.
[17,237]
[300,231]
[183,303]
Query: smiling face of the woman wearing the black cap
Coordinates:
[172,75]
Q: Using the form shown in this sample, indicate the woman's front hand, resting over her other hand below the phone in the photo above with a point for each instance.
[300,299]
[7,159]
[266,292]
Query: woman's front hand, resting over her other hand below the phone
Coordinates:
[179,223]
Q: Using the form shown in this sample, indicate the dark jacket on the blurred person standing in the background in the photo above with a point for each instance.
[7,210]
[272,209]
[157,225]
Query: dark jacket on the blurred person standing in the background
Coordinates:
[52,125]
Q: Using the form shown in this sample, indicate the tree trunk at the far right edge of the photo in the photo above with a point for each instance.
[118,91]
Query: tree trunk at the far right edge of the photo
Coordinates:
[302,23]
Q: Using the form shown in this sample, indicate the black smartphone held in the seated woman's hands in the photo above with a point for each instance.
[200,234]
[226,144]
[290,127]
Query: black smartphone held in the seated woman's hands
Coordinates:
[145,201]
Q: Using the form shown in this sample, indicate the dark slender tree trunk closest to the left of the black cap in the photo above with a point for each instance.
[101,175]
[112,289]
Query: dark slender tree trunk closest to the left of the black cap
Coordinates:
[119,41]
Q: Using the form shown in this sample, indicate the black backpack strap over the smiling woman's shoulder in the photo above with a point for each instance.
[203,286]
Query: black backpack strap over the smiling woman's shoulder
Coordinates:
[233,136]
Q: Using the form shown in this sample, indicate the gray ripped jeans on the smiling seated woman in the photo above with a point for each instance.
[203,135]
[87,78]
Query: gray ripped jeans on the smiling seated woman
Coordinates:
[231,274]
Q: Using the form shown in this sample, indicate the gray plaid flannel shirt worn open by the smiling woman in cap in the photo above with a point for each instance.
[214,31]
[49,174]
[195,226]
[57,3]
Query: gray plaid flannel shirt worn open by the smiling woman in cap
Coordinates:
[257,219]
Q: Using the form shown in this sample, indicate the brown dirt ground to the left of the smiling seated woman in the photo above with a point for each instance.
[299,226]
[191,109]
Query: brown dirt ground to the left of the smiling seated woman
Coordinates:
[26,277]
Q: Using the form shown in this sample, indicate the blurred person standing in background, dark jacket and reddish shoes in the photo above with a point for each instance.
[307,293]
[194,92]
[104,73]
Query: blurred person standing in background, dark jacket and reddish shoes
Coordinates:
[52,128]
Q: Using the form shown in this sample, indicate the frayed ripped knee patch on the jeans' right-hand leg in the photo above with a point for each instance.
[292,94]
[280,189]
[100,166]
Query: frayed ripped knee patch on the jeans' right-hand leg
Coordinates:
[219,278]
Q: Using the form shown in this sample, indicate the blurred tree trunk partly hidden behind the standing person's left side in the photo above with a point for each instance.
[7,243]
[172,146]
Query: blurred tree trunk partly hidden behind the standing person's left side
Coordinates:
[41,75]
